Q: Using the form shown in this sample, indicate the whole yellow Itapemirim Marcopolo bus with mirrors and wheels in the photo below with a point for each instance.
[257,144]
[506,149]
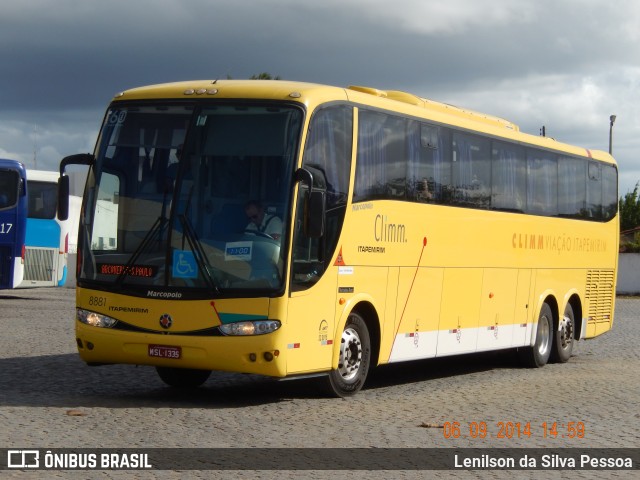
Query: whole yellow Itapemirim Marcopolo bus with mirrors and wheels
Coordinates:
[293,229]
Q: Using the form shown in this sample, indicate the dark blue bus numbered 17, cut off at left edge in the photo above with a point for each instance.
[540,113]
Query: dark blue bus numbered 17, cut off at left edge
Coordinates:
[13,222]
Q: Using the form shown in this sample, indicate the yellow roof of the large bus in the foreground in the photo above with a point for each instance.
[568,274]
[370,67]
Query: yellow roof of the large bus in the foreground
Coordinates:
[312,94]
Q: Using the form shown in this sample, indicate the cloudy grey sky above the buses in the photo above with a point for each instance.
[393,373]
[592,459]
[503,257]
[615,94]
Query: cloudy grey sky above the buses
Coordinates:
[564,64]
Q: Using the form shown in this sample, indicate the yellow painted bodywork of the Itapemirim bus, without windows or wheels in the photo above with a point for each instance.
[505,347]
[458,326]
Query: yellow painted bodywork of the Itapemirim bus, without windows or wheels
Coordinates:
[438,280]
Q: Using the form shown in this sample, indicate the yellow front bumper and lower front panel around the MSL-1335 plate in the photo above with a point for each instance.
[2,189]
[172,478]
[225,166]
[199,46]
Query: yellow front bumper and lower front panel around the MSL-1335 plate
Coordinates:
[110,345]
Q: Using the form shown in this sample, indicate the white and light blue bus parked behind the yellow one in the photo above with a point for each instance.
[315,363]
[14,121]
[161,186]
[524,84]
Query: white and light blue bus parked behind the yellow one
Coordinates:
[47,238]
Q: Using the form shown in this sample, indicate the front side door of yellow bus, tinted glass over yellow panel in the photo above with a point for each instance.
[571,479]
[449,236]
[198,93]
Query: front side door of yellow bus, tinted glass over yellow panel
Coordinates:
[313,283]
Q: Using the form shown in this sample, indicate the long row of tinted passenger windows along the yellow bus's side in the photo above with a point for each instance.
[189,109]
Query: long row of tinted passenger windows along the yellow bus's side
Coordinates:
[404,159]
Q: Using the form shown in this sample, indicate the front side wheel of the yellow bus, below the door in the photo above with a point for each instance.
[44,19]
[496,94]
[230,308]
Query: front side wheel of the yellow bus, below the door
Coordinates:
[355,357]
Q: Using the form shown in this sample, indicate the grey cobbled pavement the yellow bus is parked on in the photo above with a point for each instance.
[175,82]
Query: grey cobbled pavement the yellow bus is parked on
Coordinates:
[50,399]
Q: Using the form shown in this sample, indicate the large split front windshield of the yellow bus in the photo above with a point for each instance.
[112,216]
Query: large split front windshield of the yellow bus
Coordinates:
[192,197]
